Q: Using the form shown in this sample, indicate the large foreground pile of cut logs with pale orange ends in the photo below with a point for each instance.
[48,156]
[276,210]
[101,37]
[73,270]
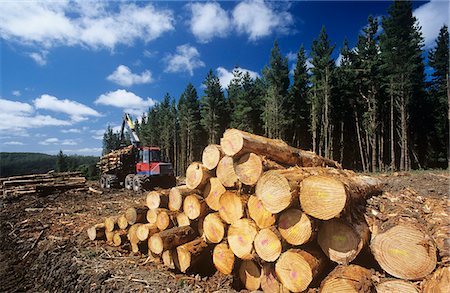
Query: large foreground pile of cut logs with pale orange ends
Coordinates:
[282,219]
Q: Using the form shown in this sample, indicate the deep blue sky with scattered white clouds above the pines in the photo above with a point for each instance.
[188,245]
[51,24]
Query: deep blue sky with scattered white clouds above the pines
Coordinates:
[70,68]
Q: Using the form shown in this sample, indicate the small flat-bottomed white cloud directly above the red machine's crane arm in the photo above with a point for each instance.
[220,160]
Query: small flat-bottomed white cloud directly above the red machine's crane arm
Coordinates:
[128,101]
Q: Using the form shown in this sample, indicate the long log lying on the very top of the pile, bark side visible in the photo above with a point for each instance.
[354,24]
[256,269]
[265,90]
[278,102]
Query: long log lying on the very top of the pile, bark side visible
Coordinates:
[236,142]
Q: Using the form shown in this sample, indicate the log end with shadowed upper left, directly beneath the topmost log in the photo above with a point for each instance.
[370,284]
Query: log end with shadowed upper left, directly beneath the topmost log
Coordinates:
[249,168]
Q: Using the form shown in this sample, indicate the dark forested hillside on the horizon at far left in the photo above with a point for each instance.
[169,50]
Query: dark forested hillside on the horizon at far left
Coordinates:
[12,164]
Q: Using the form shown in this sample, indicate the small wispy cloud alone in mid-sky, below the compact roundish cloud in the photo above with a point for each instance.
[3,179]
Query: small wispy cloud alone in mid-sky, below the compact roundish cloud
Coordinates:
[186,59]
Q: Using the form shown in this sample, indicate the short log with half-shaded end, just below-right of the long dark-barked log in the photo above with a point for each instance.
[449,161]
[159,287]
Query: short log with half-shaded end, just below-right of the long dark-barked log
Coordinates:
[189,253]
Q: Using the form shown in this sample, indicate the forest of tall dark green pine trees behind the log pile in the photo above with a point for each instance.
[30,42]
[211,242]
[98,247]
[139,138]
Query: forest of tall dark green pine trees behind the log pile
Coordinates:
[374,111]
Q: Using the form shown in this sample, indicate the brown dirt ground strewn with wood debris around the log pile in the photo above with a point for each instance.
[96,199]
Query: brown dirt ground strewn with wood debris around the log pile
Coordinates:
[44,245]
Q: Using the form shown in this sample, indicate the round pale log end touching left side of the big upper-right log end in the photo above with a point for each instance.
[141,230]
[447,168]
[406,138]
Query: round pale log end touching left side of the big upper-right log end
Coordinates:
[274,192]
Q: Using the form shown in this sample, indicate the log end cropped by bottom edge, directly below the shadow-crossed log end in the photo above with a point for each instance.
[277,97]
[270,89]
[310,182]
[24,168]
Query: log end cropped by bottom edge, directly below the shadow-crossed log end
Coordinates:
[351,278]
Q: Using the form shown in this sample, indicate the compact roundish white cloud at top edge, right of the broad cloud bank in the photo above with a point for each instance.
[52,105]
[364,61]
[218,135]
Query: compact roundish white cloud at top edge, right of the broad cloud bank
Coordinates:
[209,20]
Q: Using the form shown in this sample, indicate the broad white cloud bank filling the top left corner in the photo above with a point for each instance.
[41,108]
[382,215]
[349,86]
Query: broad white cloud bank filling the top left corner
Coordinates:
[86,23]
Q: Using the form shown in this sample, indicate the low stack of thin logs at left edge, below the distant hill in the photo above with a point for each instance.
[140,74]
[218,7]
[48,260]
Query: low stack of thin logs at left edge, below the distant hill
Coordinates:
[41,184]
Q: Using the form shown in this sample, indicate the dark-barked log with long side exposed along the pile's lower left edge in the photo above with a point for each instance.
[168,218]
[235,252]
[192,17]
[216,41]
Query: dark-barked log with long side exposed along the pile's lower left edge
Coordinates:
[171,238]
